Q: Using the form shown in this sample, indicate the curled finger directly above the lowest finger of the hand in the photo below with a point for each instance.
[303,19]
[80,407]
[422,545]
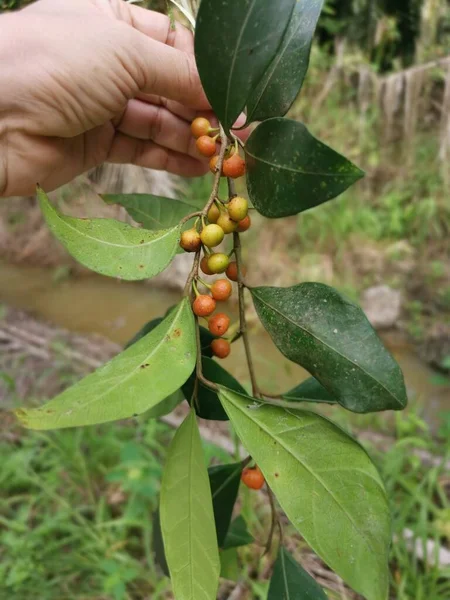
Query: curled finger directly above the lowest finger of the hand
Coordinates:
[155,123]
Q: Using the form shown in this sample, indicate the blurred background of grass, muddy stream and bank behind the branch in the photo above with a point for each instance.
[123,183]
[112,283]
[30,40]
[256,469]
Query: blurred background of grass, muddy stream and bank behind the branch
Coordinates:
[76,507]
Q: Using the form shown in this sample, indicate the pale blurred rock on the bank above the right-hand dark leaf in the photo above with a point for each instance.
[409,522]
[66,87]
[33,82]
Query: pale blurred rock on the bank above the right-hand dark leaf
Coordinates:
[382,306]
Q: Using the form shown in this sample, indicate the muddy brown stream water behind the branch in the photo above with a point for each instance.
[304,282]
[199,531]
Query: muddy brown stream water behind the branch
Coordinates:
[115,309]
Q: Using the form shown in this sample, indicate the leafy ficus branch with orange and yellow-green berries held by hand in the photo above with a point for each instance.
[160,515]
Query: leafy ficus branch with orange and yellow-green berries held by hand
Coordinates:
[252,57]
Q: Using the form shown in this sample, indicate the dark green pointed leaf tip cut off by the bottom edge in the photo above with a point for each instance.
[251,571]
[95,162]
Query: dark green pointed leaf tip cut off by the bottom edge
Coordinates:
[290,581]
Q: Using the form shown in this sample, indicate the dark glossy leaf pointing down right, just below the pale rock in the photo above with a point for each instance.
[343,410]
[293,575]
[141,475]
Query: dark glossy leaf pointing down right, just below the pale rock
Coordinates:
[316,327]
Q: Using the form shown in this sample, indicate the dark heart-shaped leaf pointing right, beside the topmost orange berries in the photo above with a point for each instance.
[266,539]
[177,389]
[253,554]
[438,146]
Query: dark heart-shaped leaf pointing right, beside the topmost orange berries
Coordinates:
[289,170]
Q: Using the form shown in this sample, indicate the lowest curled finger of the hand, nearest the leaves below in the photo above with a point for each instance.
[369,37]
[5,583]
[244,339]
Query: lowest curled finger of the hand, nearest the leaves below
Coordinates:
[127,150]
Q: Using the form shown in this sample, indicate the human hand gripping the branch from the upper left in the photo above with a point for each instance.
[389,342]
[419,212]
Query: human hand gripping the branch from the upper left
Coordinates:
[90,81]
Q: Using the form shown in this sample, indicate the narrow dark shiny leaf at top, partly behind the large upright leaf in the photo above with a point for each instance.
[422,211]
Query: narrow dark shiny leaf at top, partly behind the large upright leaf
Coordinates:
[283,79]
